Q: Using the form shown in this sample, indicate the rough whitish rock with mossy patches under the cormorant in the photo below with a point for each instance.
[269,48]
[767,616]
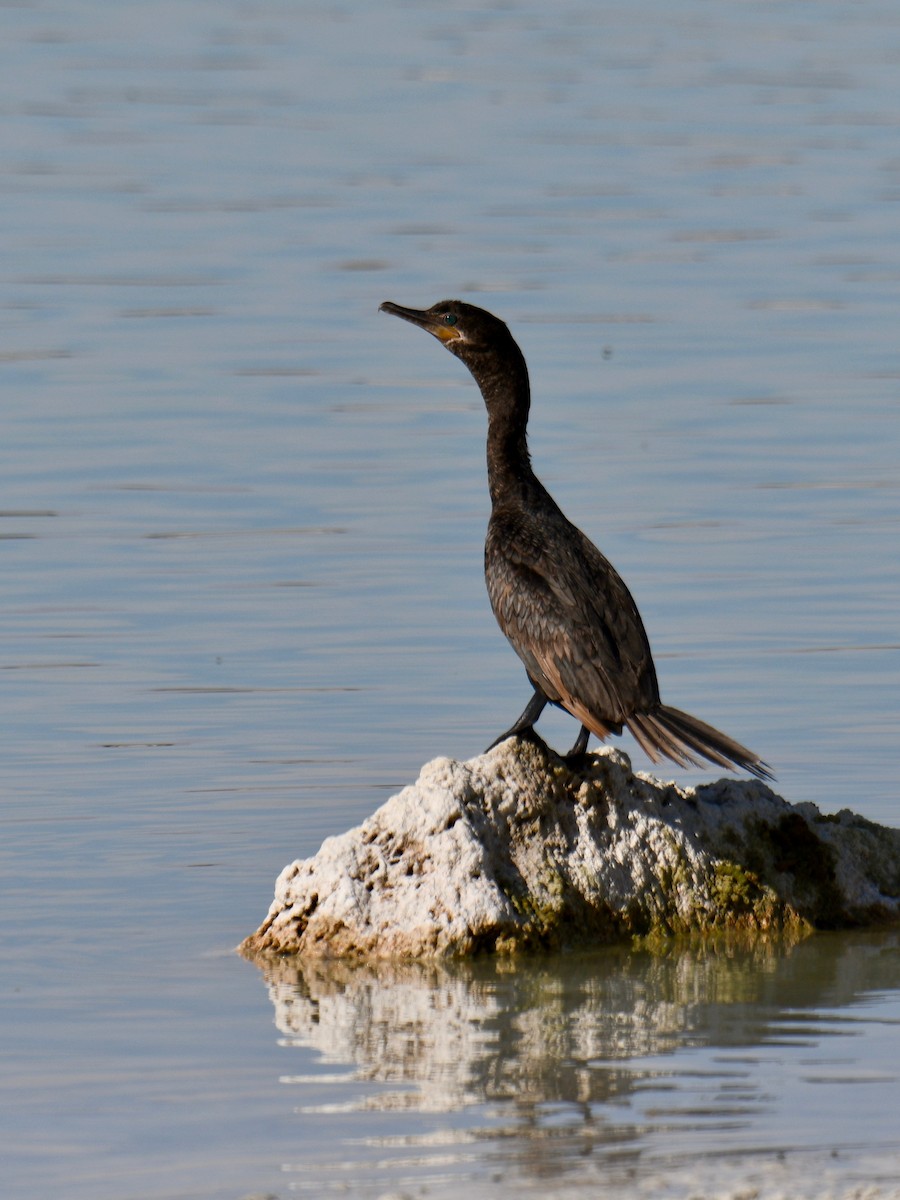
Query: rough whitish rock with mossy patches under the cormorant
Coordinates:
[518,850]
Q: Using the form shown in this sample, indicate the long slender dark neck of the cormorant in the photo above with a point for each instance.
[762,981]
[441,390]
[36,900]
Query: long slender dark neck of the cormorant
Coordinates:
[507,394]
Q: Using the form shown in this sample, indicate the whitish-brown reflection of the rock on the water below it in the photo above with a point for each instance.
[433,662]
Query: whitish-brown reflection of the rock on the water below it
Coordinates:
[562,1029]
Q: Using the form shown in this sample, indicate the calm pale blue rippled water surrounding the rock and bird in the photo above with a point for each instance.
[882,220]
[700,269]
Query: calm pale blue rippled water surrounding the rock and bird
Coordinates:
[242,520]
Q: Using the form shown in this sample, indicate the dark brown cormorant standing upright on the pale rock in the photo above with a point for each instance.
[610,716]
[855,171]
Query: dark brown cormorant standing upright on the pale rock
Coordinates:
[562,605]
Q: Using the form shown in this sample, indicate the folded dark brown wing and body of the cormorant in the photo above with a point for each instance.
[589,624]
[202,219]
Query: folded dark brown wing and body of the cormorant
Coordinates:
[569,617]
